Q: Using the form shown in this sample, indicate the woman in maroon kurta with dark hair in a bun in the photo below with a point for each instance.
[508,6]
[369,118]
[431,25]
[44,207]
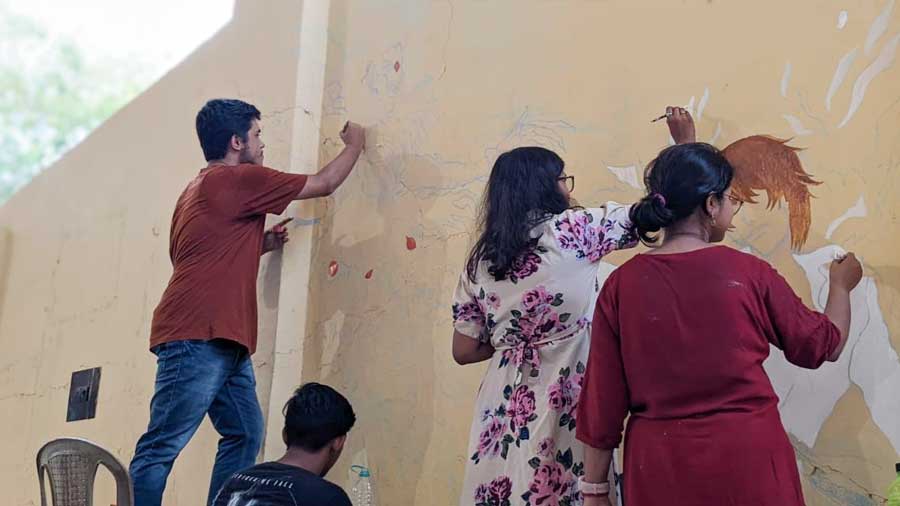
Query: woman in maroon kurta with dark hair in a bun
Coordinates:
[678,341]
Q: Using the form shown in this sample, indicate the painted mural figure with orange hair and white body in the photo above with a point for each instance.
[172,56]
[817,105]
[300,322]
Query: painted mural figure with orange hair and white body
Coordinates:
[807,397]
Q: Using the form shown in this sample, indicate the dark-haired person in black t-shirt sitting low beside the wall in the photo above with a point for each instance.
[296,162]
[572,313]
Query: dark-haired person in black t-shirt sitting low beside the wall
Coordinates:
[316,422]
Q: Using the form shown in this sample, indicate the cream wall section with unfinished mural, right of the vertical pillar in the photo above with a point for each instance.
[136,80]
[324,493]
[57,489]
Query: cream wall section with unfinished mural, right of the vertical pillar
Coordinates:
[399,230]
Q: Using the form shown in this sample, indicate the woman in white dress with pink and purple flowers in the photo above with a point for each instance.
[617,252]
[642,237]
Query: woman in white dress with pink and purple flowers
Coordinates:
[525,302]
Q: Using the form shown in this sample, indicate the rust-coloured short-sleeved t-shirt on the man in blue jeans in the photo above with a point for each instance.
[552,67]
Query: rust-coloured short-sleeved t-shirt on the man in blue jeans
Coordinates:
[215,244]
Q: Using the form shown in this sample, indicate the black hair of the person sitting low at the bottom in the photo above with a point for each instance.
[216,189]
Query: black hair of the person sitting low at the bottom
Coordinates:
[316,415]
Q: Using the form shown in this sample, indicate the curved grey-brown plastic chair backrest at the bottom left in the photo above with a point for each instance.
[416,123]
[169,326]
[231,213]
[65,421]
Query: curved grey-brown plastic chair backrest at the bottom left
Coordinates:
[72,466]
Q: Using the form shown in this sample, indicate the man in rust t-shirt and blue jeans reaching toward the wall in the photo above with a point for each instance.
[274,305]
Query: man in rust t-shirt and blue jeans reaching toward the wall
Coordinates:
[204,328]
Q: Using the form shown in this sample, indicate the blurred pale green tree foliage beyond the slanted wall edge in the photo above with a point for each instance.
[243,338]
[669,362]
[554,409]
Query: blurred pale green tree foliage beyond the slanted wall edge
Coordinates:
[51,97]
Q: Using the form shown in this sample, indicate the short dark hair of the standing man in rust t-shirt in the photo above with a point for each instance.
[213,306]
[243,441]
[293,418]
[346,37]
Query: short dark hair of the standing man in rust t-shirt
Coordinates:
[220,119]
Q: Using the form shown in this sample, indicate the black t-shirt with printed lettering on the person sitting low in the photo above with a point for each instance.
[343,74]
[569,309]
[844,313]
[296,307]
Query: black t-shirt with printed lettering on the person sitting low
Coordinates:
[274,484]
